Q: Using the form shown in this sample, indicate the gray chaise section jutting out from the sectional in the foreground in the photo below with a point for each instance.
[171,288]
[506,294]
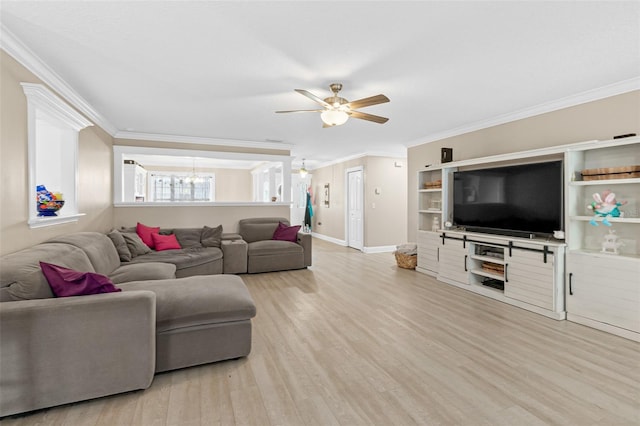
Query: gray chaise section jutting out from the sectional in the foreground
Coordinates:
[199,319]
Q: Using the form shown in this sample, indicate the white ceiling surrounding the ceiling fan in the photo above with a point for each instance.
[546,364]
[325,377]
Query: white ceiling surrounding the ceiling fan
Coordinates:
[220,69]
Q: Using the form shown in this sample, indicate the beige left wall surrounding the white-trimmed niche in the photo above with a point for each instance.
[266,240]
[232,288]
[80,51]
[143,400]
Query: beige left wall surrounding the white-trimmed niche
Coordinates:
[94,178]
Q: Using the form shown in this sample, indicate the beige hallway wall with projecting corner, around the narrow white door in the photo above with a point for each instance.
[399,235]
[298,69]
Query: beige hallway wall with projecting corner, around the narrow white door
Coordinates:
[385,224]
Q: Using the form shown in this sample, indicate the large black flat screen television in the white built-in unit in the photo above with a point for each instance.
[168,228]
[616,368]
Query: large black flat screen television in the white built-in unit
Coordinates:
[521,200]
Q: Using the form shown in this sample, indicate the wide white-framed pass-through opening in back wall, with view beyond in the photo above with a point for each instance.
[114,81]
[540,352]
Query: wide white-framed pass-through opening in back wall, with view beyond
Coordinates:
[234,173]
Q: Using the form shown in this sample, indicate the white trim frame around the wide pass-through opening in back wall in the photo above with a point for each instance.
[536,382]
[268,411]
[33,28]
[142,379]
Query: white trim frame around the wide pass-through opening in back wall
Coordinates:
[121,151]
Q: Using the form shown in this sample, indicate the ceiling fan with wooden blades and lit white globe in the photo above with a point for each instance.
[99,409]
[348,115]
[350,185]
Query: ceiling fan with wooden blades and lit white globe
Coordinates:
[337,110]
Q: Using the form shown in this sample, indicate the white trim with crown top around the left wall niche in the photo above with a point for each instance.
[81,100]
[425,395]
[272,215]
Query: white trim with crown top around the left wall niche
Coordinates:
[41,101]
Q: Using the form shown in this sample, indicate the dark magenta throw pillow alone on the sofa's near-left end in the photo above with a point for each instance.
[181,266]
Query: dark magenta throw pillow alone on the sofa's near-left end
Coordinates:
[66,282]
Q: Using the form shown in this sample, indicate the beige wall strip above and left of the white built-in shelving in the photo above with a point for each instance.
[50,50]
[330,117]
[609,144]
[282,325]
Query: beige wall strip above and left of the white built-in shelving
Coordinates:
[600,119]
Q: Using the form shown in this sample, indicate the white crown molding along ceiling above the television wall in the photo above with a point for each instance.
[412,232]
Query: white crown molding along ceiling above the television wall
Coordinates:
[614,89]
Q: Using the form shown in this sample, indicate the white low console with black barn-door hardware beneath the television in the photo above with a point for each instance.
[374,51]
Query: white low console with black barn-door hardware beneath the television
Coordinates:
[522,272]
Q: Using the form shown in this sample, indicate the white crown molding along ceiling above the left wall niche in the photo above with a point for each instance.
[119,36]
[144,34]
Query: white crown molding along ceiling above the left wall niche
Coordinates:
[25,56]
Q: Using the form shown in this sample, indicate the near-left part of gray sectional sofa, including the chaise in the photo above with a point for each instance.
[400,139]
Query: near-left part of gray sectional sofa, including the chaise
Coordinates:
[60,350]
